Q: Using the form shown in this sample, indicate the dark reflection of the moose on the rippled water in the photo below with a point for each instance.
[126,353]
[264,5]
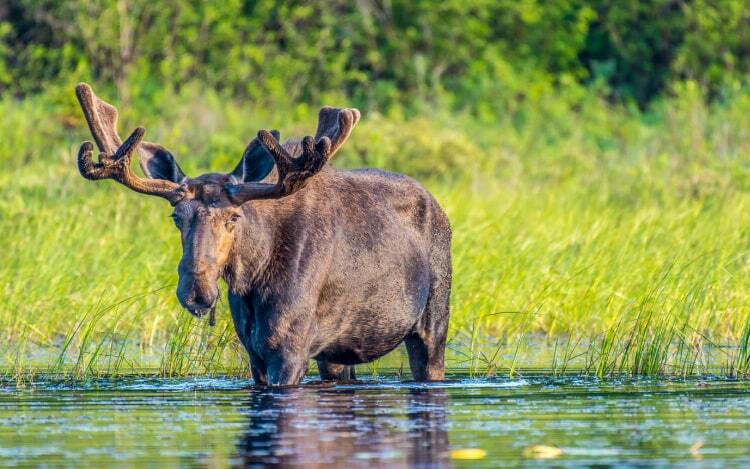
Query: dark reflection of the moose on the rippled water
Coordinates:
[339,426]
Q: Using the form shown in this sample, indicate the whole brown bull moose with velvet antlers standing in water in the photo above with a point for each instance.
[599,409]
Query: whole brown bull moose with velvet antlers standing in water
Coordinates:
[339,266]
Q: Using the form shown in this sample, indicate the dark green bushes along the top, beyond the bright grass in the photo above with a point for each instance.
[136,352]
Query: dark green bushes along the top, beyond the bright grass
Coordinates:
[377,54]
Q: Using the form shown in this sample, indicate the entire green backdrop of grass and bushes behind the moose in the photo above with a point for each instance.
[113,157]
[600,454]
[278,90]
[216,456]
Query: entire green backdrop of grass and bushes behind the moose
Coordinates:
[598,192]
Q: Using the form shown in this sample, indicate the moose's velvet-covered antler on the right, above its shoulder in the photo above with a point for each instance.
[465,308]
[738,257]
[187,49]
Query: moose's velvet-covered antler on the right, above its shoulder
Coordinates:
[334,127]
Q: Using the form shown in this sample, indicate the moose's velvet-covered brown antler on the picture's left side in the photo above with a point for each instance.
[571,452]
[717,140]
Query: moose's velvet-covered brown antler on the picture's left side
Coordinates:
[114,159]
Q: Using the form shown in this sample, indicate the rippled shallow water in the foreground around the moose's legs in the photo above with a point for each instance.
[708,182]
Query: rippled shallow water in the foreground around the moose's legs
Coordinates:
[219,422]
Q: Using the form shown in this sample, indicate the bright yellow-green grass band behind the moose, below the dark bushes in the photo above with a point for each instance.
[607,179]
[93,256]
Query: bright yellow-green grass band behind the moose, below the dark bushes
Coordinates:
[598,240]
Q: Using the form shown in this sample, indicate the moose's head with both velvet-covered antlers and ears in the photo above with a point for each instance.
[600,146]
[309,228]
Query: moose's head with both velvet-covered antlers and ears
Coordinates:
[211,211]
